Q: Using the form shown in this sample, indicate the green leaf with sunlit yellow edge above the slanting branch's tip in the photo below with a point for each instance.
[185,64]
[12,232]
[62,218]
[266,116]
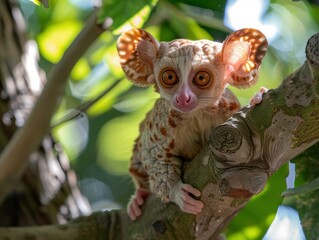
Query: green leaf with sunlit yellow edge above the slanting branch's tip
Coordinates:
[126,14]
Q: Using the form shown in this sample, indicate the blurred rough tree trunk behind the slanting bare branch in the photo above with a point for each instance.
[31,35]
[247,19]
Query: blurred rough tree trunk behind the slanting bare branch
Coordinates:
[46,192]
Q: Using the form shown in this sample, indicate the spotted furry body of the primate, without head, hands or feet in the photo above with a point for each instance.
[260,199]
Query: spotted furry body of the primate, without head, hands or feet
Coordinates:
[175,137]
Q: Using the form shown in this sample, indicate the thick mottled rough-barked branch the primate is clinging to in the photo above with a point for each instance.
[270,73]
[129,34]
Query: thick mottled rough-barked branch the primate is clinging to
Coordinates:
[235,165]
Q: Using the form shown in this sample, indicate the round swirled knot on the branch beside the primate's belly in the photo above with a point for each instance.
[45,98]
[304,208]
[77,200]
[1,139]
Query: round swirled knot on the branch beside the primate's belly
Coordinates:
[226,139]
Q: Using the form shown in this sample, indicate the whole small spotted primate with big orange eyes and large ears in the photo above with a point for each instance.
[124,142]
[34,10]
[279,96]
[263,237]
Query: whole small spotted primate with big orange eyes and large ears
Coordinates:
[191,78]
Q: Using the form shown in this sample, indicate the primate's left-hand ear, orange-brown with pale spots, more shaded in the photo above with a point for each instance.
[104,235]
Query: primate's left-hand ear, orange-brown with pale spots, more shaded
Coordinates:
[137,49]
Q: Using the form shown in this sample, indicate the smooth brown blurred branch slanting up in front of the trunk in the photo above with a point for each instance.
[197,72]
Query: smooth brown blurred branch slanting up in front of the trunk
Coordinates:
[28,138]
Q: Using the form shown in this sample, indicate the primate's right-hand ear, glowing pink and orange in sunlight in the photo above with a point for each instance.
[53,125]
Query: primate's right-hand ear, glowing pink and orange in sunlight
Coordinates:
[242,54]
